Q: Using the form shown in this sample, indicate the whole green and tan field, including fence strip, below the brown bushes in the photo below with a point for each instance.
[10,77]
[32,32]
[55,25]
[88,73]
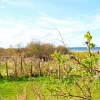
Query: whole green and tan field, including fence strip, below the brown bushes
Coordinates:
[35,80]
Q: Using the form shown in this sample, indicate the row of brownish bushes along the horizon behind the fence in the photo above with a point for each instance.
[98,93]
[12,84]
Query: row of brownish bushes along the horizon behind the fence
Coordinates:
[33,49]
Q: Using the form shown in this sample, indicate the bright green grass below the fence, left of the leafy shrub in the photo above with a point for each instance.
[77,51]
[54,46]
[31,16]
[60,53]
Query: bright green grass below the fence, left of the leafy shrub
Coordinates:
[34,89]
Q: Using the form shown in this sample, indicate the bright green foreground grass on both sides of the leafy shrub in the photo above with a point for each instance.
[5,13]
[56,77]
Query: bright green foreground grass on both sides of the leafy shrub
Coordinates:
[36,88]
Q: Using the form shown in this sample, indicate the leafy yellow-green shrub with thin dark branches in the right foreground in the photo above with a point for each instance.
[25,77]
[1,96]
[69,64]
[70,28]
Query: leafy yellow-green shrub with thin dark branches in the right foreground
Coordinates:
[80,75]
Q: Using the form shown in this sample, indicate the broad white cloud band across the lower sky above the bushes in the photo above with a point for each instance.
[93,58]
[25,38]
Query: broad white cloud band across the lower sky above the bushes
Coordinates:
[42,28]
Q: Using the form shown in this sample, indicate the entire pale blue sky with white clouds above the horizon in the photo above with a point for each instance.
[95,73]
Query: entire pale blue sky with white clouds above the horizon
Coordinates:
[22,21]
